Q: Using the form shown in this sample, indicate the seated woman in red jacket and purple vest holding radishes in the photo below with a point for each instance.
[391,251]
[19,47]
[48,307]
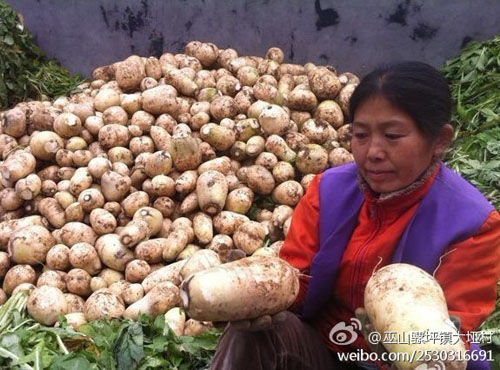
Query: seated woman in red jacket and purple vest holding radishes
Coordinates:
[397,203]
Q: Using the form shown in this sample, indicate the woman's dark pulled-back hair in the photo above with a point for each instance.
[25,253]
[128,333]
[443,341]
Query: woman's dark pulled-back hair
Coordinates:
[416,88]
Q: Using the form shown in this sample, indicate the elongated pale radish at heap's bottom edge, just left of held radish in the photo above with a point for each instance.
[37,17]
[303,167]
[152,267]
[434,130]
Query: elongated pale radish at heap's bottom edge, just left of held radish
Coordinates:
[156,302]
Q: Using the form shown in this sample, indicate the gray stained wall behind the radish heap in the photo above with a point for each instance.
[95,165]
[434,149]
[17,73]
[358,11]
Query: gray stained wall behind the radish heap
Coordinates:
[352,35]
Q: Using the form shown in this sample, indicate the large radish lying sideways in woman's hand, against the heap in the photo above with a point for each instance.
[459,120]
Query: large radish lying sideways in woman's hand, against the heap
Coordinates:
[239,290]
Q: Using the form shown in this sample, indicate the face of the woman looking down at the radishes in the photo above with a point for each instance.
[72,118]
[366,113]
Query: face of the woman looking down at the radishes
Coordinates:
[389,149]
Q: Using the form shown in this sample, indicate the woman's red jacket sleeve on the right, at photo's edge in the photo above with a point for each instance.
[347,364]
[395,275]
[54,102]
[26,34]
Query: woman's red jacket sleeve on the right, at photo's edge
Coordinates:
[469,275]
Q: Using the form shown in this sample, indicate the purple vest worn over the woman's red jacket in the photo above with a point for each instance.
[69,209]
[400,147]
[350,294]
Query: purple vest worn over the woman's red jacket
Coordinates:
[452,211]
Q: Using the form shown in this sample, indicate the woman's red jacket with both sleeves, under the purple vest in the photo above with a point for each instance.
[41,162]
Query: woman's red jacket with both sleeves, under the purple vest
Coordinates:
[470,288]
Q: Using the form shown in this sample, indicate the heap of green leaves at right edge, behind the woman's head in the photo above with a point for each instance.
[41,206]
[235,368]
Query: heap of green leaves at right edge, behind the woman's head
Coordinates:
[474,77]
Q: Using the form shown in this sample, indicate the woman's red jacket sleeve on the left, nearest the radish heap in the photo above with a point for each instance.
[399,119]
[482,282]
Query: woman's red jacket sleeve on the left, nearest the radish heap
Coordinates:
[301,242]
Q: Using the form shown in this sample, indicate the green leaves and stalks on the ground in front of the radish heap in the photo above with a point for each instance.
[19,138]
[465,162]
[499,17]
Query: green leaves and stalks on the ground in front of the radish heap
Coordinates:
[105,344]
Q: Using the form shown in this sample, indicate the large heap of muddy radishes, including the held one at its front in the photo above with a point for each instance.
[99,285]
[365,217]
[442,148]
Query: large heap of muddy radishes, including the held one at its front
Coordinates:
[161,168]
